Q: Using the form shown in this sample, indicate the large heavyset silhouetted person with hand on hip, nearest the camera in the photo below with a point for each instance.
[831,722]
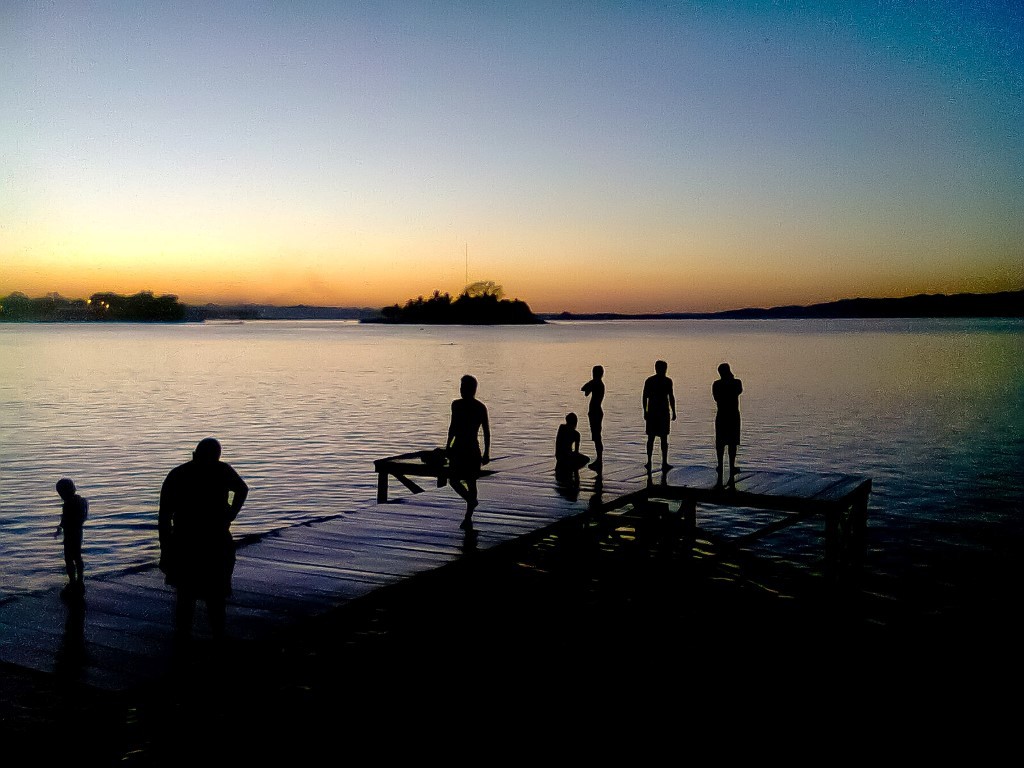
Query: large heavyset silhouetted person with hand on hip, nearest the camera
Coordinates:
[198,503]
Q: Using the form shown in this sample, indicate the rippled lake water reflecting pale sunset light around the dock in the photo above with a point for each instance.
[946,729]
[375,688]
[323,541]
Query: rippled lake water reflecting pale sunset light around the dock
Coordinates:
[931,410]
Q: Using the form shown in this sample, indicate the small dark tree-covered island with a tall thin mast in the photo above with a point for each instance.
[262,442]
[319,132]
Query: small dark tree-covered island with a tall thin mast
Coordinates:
[480,305]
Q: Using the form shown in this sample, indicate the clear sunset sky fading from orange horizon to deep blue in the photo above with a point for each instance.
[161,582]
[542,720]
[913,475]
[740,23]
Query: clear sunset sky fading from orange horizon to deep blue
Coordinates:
[633,157]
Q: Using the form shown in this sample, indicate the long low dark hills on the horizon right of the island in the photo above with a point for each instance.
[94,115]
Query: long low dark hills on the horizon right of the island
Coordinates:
[1004,305]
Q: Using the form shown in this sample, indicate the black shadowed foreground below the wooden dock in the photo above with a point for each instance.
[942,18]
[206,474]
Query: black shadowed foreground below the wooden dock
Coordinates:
[540,648]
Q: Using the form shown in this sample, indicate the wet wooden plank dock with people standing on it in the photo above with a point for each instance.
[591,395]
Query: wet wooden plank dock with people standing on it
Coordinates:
[124,636]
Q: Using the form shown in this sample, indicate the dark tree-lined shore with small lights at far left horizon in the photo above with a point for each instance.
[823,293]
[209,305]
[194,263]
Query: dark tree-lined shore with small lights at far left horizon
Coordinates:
[106,307]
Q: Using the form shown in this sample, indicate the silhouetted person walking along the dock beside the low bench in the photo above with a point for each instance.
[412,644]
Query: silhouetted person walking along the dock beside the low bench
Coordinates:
[470,416]
